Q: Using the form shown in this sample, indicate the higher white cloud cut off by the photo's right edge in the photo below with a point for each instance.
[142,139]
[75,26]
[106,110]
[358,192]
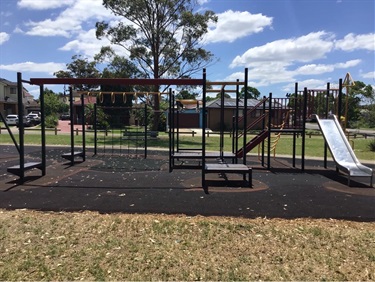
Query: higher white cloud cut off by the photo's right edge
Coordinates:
[353,42]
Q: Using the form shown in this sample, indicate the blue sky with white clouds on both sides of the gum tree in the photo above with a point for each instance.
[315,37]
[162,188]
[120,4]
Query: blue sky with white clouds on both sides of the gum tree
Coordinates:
[311,42]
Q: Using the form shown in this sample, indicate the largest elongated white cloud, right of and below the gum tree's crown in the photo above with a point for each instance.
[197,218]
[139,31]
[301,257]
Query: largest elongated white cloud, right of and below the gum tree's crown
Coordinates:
[306,48]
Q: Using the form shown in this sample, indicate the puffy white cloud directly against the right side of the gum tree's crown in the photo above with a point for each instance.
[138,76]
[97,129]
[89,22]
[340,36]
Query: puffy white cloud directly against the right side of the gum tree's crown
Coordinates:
[232,25]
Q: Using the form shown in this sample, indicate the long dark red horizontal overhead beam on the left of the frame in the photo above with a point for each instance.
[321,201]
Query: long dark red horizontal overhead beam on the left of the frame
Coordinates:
[117,81]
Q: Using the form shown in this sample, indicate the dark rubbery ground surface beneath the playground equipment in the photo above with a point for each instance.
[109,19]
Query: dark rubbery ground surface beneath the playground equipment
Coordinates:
[125,183]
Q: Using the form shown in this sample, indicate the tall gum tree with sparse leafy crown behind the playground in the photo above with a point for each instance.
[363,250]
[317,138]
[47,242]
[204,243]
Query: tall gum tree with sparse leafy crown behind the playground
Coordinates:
[162,37]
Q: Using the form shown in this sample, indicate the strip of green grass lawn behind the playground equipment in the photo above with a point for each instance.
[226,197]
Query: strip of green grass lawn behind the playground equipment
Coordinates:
[314,146]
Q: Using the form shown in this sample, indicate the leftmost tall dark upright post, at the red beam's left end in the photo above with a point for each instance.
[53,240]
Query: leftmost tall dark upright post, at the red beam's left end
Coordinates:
[21,126]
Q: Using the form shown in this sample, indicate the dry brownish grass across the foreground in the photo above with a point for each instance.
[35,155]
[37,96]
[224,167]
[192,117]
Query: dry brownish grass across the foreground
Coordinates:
[92,246]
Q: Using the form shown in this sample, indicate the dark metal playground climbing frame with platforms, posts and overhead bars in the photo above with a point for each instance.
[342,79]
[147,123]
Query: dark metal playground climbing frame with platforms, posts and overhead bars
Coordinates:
[275,115]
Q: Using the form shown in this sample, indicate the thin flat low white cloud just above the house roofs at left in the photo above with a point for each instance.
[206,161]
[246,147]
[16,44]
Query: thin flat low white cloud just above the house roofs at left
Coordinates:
[48,68]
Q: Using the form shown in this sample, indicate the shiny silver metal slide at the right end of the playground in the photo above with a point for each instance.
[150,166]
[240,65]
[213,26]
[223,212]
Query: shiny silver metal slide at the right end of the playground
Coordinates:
[341,151]
